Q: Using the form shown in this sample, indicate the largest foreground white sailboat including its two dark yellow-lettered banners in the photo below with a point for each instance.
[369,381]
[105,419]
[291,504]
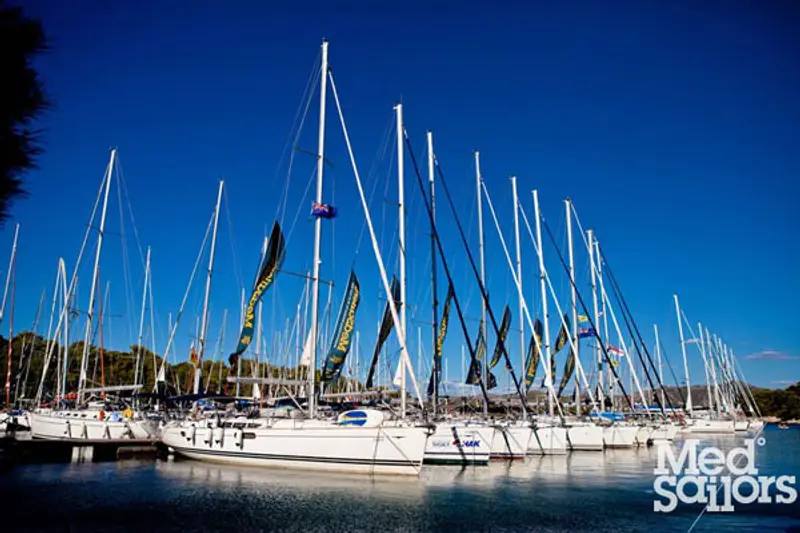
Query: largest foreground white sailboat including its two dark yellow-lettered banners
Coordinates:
[357,441]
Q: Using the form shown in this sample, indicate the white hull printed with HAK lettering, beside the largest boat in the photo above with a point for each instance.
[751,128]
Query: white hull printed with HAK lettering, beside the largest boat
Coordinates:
[459,443]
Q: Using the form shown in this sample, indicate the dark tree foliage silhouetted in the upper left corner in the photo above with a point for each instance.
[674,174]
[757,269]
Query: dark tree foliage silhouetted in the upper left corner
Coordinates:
[22,103]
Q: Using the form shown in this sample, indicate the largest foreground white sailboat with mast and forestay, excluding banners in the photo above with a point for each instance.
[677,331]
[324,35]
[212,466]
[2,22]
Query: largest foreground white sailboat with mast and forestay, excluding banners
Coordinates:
[358,441]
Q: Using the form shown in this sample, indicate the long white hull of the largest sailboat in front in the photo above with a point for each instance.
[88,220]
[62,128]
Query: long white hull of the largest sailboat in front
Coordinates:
[303,444]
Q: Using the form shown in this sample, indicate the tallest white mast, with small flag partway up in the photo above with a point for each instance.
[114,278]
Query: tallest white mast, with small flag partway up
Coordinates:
[312,367]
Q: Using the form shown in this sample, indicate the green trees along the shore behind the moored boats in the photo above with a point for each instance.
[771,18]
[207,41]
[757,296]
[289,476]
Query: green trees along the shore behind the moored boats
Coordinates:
[776,405]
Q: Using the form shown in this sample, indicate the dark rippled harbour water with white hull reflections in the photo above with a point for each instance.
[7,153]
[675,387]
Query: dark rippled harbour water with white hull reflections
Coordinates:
[590,492]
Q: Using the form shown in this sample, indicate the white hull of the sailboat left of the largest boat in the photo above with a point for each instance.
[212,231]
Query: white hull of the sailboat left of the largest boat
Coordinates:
[83,425]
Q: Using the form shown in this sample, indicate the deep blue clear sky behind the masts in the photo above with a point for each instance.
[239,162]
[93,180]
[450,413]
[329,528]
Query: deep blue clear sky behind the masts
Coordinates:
[672,126]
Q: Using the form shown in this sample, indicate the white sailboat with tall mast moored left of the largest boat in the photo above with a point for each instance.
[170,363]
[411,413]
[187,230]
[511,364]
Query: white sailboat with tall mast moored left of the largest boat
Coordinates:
[93,420]
